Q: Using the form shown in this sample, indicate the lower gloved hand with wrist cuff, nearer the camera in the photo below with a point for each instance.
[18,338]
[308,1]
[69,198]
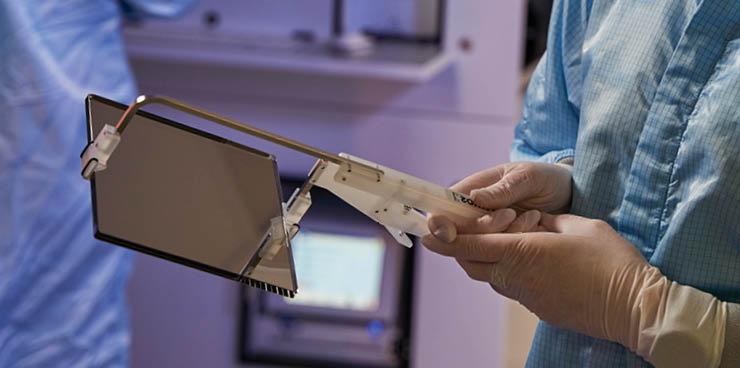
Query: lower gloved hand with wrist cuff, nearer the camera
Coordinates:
[583,276]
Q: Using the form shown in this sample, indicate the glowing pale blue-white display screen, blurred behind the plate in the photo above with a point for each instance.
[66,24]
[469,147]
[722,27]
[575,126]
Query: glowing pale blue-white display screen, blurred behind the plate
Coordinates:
[337,270]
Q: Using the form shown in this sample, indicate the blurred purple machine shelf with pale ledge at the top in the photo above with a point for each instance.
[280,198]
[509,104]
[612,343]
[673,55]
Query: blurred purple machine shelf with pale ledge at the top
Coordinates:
[391,40]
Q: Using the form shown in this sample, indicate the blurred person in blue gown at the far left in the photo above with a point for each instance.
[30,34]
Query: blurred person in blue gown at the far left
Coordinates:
[62,301]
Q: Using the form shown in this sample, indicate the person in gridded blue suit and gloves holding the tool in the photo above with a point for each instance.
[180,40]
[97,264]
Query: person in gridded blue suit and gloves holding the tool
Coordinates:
[630,123]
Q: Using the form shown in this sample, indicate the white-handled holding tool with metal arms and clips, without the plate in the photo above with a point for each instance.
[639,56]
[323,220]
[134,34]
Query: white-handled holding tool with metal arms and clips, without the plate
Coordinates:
[392,198]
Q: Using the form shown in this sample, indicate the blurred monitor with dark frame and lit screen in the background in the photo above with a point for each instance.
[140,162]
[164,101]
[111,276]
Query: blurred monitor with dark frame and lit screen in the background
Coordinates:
[354,301]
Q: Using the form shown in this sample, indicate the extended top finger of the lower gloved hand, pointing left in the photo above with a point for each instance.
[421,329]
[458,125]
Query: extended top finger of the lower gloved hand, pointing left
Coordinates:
[478,248]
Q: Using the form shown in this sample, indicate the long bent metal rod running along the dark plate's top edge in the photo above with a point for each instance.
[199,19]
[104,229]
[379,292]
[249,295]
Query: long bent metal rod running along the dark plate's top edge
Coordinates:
[144,100]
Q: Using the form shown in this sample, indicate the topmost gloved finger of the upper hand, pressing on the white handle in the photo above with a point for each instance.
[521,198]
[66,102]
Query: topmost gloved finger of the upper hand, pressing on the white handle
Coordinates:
[512,188]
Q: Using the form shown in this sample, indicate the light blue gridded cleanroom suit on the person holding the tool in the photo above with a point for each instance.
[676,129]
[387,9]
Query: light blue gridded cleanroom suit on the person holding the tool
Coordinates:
[644,96]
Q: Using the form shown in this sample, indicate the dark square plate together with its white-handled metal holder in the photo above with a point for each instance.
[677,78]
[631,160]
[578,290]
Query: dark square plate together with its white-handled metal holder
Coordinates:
[175,195]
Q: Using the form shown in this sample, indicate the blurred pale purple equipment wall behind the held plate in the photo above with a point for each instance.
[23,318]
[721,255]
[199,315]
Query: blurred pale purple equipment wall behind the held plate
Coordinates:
[441,114]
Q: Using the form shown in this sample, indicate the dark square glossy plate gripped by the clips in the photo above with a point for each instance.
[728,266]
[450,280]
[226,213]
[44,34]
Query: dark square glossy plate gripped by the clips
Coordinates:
[188,196]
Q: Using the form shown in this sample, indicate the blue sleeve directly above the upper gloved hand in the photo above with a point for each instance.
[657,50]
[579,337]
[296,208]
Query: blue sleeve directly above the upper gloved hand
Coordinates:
[548,128]
